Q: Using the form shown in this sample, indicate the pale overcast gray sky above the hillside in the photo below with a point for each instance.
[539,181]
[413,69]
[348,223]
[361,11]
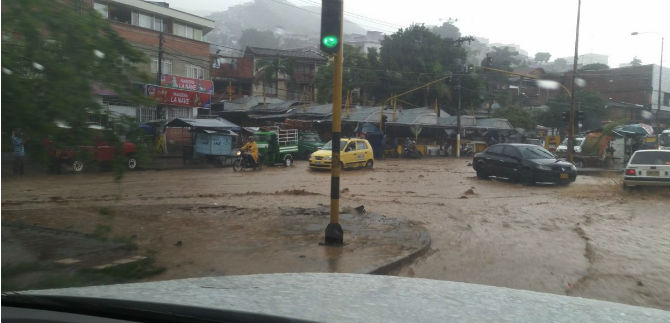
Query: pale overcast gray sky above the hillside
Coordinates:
[535,25]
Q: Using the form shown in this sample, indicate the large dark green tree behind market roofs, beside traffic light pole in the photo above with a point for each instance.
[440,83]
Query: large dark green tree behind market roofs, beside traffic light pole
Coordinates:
[408,58]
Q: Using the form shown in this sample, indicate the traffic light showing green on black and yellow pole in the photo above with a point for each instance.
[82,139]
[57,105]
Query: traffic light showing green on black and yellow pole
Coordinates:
[331,26]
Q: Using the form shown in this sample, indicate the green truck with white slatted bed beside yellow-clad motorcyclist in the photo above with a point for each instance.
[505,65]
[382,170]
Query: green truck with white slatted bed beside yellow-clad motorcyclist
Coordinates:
[277,147]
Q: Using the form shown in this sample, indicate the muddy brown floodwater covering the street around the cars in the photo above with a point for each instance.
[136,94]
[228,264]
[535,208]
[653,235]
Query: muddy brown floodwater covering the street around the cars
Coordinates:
[590,239]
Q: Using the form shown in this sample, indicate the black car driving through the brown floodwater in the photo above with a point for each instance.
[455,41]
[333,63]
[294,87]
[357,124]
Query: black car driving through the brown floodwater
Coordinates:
[524,163]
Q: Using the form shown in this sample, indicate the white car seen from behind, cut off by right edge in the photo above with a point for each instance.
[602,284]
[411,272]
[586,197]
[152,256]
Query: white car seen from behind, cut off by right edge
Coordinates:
[648,167]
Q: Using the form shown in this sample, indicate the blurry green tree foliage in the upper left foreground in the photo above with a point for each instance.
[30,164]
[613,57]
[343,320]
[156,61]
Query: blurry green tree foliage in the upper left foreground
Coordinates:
[53,55]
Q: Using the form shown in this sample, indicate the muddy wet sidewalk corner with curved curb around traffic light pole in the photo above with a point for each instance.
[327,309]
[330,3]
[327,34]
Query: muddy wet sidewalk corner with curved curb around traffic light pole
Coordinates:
[182,241]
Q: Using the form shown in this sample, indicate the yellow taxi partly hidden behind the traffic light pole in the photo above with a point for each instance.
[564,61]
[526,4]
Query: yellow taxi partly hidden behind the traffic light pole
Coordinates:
[354,153]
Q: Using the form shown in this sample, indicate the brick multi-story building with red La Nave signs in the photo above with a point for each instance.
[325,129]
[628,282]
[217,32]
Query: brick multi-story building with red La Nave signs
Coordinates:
[172,39]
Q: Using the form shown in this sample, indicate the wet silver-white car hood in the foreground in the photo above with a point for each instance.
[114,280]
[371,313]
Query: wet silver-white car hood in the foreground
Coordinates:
[323,297]
